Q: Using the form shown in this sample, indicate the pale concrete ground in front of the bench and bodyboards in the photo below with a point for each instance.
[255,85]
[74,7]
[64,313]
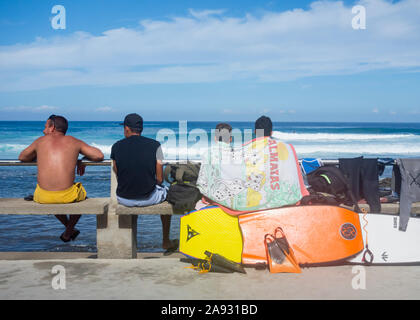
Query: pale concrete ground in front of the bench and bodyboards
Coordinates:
[151,276]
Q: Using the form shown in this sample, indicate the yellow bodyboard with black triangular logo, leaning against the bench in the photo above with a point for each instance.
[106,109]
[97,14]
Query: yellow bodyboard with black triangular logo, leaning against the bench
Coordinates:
[210,229]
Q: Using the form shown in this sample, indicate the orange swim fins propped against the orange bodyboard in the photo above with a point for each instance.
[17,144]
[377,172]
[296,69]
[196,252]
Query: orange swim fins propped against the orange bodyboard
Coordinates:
[280,255]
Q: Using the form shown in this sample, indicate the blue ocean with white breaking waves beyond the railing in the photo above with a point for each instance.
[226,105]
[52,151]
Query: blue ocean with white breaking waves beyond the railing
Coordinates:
[180,140]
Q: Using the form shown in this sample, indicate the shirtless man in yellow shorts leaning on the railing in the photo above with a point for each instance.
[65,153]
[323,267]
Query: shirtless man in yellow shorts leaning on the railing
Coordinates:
[57,156]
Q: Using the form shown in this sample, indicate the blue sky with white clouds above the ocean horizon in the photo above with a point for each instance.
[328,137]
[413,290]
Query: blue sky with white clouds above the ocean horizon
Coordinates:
[210,60]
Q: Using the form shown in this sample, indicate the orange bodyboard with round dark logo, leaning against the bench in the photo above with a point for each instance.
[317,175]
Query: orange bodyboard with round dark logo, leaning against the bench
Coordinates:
[317,234]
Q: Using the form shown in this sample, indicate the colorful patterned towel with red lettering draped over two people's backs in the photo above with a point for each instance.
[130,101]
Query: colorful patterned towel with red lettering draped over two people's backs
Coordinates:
[262,174]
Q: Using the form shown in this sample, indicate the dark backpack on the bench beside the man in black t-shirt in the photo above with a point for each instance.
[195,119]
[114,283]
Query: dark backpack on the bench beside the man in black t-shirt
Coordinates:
[183,193]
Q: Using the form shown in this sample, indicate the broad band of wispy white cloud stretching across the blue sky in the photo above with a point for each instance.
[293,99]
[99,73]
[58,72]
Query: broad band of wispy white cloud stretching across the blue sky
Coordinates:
[210,46]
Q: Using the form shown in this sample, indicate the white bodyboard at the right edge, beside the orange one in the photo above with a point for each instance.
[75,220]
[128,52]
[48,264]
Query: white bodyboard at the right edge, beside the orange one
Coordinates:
[387,244]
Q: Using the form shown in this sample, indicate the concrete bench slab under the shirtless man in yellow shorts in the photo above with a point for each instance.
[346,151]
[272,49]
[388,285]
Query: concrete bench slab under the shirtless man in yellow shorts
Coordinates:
[97,206]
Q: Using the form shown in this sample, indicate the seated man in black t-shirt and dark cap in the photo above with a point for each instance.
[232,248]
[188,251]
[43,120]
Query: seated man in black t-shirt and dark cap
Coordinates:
[137,162]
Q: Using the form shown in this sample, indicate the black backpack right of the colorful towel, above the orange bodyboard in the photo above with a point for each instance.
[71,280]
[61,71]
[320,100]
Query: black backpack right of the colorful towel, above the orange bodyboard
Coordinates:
[330,179]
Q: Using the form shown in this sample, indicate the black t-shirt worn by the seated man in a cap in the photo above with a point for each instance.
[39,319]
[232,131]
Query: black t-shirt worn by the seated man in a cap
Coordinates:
[135,159]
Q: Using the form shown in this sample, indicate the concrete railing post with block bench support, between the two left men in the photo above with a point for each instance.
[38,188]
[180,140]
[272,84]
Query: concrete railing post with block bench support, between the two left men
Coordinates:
[116,235]
